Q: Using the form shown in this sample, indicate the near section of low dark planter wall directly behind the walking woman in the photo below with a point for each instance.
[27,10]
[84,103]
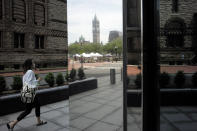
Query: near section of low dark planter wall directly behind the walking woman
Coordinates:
[12,103]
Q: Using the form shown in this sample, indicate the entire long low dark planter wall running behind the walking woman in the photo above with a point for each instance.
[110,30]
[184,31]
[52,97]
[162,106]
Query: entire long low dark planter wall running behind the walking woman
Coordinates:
[12,103]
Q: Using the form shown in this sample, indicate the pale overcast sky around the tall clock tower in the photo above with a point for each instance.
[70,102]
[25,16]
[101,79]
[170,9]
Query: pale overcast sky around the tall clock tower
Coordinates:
[81,13]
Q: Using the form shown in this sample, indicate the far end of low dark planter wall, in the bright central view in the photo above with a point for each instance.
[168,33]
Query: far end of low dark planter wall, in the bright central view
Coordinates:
[82,86]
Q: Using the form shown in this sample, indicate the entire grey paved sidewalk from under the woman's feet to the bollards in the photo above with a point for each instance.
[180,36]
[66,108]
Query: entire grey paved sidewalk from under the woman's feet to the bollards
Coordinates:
[96,110]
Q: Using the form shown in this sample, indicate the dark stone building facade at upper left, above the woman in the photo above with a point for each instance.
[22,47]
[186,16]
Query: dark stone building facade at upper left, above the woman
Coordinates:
[34,29]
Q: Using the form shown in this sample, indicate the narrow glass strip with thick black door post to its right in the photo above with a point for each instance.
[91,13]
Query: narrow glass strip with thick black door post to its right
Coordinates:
[141,92]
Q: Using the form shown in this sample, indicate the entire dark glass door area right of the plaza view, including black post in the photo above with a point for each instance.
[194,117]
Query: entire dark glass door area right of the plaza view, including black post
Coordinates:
[166,100]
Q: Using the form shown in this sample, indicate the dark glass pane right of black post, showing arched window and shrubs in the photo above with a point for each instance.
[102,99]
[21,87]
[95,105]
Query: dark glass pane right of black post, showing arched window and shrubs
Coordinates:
[178,60]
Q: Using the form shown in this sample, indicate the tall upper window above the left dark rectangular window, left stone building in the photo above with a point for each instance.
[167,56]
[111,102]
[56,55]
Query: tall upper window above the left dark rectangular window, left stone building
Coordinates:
[19,11]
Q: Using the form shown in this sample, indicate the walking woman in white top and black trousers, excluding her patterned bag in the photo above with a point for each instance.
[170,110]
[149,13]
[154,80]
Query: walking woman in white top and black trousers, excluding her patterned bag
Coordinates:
[29,78]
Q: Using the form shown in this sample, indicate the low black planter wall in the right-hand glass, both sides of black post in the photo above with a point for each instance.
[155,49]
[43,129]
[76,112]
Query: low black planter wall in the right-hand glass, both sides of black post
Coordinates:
[168,97]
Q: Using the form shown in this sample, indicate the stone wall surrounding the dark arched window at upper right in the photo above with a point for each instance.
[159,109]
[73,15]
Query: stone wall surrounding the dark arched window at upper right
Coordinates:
[186,10]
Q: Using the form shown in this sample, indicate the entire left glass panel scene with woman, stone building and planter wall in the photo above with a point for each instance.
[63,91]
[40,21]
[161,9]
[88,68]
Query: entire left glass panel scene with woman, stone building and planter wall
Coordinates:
[33,52]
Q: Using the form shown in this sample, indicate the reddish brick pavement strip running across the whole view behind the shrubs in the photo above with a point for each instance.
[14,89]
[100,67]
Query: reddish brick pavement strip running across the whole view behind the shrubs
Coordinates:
[131,69]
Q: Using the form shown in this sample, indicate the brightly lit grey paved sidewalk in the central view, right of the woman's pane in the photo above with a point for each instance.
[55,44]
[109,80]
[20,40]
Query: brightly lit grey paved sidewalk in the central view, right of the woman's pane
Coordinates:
[98,110]
